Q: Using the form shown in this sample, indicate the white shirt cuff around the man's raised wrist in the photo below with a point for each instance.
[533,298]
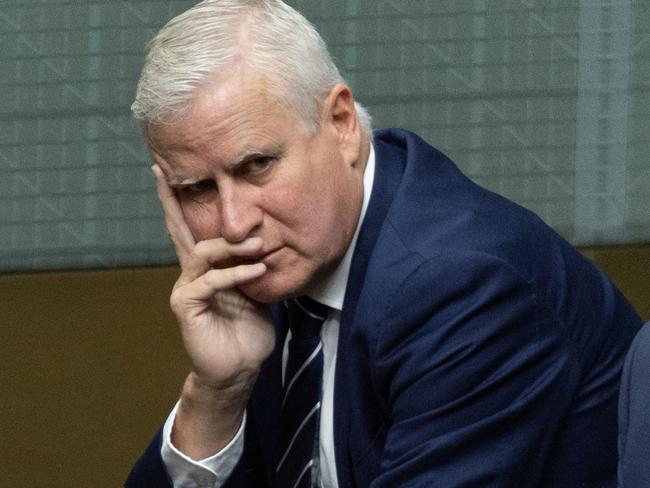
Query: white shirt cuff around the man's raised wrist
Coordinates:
[210,472]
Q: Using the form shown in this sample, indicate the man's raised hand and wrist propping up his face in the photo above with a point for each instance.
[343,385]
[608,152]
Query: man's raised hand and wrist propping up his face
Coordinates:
[226,335]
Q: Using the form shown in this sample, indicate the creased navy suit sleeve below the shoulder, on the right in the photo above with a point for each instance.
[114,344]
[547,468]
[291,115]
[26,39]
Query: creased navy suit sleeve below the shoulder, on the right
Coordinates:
[477,375]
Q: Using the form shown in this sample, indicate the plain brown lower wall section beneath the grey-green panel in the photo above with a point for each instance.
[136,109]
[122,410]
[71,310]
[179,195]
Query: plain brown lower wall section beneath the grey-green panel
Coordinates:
[92,362]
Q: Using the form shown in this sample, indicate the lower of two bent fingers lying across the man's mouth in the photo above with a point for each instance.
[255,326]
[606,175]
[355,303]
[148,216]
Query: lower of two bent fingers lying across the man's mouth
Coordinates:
[207,285]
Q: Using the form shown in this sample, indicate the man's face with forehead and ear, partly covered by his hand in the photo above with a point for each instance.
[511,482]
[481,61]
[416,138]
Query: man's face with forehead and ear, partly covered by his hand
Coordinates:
[243,166]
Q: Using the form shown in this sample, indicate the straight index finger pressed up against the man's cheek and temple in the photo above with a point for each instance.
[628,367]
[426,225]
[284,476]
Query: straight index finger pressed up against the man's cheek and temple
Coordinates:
[178,230]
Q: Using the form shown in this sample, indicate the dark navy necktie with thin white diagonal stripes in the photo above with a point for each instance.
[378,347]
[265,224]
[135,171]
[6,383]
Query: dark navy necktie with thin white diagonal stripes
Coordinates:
[300,411]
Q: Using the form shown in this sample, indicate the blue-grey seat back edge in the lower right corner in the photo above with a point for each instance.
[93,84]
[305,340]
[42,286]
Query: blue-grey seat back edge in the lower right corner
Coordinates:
[634,415]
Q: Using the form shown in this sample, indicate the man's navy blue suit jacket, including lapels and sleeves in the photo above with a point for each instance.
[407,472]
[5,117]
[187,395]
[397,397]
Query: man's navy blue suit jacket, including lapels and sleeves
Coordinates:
[477,347]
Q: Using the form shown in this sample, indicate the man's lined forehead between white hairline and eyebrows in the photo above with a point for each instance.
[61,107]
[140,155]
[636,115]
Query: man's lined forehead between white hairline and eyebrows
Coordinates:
[224,120]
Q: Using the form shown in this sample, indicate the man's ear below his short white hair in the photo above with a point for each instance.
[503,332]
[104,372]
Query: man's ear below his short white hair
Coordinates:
[340,117]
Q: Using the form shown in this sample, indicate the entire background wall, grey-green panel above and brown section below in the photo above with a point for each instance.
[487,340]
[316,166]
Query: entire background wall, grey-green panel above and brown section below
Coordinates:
[546,102]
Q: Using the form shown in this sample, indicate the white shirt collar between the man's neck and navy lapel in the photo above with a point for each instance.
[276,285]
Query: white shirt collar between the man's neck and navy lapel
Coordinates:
[331,290]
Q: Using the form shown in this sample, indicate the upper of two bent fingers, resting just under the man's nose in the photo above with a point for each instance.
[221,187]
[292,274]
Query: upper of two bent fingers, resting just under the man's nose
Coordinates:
[216,252]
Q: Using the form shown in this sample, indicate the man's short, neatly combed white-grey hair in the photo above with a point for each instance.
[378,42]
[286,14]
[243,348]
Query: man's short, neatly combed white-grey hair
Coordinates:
[215,36]
